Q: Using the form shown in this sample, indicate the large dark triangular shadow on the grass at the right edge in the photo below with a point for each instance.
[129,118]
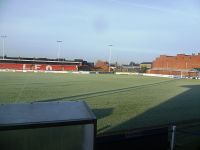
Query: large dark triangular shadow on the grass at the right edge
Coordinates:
[183,107]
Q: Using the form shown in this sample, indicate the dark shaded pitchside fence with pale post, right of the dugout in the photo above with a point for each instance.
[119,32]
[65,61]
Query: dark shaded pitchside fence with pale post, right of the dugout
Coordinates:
[174,136]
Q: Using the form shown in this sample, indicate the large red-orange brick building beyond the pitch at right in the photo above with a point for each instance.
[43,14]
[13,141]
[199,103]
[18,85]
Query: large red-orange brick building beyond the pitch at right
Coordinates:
[181,64]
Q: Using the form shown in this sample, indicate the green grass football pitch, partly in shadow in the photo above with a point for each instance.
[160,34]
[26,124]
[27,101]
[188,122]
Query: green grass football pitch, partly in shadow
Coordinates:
[120,102]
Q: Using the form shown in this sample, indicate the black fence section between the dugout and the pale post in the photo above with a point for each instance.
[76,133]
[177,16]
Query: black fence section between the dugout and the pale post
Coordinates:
[155,139]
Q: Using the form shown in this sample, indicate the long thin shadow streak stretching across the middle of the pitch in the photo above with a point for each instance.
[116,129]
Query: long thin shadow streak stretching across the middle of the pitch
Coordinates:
[107,92]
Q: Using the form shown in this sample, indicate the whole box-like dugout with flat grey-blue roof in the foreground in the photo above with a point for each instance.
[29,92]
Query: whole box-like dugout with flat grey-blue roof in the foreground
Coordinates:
[47,126]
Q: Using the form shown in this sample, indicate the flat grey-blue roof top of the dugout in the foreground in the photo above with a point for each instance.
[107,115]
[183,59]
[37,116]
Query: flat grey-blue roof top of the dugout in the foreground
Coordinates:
[44,114]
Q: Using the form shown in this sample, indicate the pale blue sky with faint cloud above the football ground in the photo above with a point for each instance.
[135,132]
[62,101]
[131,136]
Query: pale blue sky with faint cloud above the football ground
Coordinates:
[139,30]
